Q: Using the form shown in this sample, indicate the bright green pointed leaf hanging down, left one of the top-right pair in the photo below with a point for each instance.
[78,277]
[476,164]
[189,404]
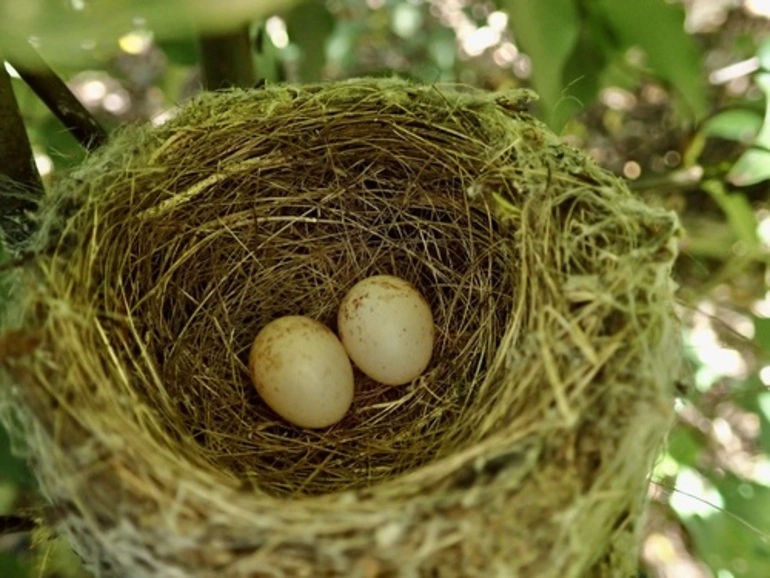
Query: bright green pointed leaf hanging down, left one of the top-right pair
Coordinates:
[548,32]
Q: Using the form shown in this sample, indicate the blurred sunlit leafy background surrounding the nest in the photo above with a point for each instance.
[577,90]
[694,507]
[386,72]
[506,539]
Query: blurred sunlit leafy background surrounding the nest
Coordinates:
[671,94]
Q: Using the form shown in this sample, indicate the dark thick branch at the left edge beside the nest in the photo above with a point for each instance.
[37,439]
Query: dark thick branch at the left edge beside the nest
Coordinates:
[20,184]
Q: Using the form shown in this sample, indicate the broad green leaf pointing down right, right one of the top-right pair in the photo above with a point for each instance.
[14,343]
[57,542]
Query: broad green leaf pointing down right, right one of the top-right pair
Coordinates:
[657,27]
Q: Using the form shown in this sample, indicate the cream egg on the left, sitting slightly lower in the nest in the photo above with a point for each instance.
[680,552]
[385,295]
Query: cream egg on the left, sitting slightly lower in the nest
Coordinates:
[301,370]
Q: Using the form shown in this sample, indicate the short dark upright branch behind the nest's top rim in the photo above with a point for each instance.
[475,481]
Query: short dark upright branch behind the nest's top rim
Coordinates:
[226,59]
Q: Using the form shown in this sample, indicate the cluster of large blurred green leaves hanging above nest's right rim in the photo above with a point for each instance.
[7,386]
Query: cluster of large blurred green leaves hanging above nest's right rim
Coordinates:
[593,38]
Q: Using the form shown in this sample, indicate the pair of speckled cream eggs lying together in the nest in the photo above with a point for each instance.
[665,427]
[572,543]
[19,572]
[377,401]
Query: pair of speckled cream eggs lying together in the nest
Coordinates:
[303,371]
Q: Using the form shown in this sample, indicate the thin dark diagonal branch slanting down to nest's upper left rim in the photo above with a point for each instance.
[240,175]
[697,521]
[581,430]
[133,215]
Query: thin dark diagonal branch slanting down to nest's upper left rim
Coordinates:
[54,93]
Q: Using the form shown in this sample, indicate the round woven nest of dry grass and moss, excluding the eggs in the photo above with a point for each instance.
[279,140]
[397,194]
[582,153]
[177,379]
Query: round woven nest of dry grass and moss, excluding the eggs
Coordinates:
[524,449]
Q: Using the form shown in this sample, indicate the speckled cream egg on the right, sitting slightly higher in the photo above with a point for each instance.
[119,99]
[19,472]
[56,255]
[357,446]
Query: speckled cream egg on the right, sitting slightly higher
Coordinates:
[386,326]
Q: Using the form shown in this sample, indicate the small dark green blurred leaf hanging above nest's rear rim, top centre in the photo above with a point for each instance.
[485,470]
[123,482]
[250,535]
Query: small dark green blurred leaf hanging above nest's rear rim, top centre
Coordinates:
[310,25]
